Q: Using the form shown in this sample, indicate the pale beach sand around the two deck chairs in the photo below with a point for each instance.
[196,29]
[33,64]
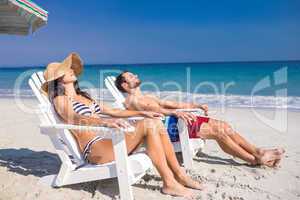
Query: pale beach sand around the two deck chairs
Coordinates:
[26,156]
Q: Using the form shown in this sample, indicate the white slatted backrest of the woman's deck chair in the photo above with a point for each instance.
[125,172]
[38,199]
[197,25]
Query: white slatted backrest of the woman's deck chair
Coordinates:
[49,115]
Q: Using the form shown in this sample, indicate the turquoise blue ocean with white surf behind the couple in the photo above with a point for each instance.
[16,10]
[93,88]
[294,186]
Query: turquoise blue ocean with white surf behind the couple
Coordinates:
[231,84]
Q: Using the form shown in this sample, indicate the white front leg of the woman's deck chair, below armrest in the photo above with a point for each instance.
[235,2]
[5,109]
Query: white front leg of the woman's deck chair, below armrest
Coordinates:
[123,172]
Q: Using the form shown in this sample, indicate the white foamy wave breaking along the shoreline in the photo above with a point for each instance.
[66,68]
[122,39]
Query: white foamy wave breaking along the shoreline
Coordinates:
[290,102]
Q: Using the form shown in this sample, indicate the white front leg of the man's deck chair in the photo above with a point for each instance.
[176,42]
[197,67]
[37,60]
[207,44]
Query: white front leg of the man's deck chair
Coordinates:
[187,153]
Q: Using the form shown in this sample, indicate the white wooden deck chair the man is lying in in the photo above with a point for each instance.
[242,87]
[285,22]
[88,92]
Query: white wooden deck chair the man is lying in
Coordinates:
[187,146]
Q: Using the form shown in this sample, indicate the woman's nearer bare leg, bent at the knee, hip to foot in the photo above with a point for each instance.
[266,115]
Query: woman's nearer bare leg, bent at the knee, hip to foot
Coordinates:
[102,152]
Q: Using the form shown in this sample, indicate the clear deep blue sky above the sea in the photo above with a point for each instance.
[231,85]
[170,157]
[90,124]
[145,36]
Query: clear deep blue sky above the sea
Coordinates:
[140,31]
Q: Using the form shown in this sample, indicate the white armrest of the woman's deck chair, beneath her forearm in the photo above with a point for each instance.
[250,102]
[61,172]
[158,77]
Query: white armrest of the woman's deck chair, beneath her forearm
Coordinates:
[102,131]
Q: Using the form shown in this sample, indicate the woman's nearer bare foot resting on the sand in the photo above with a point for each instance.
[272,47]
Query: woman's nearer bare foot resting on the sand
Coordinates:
[176,189]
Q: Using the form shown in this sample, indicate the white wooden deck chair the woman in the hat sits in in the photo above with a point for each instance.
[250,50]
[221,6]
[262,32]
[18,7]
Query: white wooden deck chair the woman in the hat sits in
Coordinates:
[128,169]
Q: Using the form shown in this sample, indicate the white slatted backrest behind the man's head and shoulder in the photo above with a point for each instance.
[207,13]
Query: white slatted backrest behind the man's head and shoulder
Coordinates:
[110,84]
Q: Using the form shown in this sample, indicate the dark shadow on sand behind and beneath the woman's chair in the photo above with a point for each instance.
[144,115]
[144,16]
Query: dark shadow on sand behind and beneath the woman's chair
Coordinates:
[42,163]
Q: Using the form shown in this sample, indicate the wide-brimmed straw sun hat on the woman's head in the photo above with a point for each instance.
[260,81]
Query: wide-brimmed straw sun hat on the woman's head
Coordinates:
[57,70]
